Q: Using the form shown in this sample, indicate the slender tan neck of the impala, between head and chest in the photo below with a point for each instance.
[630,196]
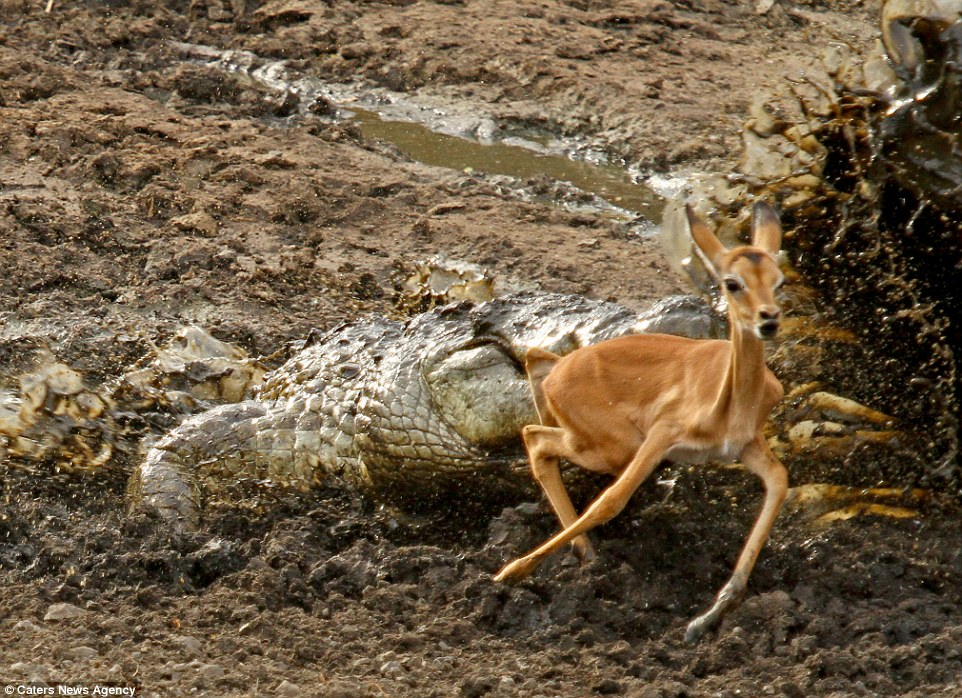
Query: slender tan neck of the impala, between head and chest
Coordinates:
[743,384]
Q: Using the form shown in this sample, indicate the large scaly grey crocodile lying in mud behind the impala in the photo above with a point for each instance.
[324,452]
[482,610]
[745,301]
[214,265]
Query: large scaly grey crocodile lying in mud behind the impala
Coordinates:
[408,410]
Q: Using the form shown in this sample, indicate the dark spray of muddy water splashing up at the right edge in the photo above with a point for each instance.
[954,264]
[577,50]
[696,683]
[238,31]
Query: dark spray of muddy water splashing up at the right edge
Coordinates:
[867,177]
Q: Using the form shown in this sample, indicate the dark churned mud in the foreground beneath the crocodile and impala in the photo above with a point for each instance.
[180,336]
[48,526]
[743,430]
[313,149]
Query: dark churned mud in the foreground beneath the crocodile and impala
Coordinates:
[339,599]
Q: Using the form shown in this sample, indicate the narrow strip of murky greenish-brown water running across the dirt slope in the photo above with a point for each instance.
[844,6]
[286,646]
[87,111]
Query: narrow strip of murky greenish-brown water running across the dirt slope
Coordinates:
[452,137]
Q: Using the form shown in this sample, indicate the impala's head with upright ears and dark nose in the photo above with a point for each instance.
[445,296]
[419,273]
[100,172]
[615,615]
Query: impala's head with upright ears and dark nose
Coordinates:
[748,274]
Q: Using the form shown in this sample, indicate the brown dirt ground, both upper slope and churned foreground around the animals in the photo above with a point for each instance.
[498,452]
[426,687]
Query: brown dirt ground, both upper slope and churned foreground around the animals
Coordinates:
[140,192]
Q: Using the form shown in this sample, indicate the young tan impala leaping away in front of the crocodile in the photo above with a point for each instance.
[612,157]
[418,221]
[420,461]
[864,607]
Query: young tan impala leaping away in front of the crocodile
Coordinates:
[624,405]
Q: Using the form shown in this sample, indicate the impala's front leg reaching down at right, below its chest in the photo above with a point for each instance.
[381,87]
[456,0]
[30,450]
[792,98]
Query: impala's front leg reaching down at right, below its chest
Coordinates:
[759,459]
